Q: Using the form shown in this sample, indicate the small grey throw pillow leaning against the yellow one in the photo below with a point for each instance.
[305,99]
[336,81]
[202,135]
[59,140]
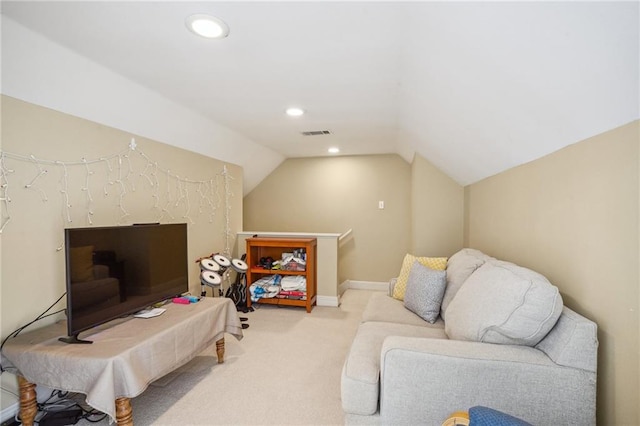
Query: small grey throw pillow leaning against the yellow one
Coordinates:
[425,288]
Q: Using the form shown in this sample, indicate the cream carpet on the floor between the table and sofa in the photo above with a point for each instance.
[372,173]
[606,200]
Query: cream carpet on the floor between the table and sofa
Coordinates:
[285,371]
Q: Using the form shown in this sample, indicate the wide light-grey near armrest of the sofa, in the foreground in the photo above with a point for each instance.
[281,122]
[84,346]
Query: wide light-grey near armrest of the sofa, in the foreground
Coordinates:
[424,380]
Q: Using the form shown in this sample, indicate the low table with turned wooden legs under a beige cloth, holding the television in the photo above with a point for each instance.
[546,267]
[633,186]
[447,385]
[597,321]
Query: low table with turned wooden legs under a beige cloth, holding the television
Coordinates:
[117,367]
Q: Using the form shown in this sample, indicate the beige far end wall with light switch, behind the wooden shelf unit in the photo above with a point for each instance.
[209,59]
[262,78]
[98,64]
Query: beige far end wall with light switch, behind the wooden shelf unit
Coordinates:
[334,194]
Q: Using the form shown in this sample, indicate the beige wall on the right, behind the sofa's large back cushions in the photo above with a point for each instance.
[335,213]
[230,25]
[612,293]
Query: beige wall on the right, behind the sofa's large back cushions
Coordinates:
[574,217]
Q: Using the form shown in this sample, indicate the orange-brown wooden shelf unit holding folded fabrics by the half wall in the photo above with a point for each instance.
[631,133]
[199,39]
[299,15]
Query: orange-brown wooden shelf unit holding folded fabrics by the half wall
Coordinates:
[258,248]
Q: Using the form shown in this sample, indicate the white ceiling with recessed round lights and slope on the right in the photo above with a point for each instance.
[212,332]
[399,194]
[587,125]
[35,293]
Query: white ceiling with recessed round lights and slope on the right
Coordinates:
[475,87]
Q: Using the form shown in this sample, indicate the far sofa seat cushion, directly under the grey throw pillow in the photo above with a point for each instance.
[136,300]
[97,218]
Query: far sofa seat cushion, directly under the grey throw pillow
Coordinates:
[382,308]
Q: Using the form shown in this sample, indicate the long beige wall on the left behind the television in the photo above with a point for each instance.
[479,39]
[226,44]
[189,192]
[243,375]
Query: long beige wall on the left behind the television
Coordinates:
[33,273]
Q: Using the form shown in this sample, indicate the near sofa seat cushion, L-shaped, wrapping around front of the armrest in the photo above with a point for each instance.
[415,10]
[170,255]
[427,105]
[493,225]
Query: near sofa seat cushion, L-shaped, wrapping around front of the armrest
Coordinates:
[361,371]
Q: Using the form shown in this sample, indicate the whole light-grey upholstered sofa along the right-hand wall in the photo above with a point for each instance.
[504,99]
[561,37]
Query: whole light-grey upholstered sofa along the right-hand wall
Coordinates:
[502,339]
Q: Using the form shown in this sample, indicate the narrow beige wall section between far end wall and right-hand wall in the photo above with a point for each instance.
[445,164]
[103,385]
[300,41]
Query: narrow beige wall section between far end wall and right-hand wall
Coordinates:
[437,211]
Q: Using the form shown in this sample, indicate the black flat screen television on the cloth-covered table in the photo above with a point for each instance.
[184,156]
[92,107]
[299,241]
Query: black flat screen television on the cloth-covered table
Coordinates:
[115,271]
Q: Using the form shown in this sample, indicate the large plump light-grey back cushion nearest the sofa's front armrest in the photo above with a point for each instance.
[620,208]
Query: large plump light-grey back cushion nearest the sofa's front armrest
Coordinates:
[504,303]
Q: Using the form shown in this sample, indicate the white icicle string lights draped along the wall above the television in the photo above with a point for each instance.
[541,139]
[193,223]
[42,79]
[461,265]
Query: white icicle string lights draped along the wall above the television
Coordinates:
[118,175]
